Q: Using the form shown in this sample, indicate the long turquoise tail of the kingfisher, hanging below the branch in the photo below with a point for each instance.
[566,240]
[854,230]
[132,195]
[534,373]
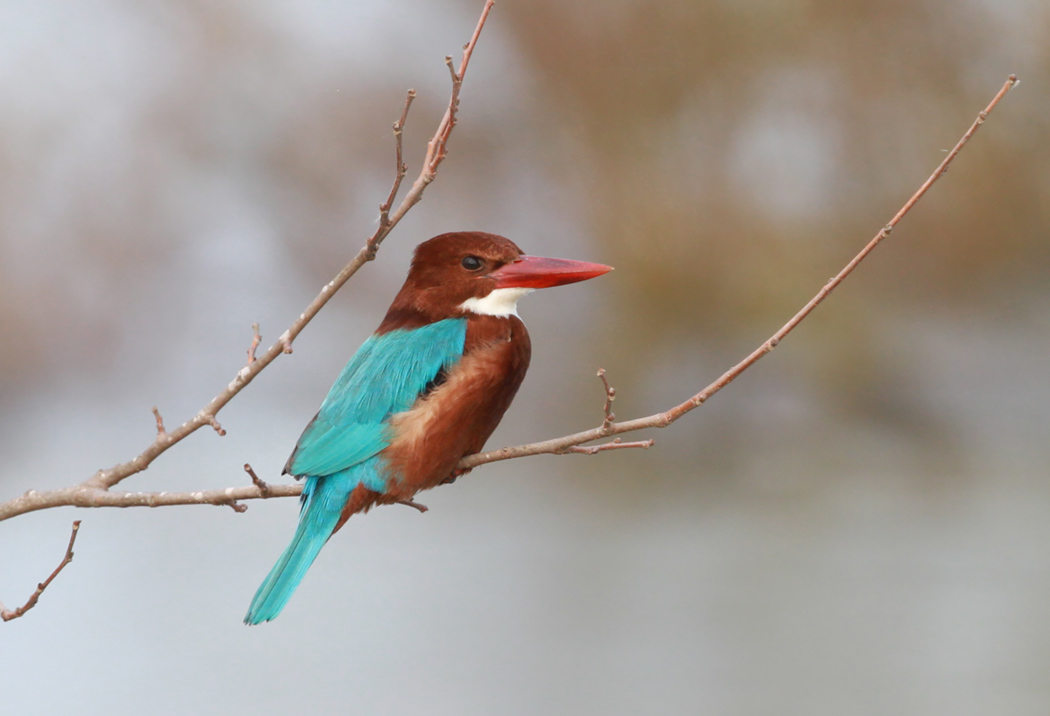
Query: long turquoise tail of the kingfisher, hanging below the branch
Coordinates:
[323,503]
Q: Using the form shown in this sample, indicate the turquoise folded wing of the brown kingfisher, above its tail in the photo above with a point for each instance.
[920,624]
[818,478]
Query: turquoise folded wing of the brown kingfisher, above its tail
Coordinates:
[386,376]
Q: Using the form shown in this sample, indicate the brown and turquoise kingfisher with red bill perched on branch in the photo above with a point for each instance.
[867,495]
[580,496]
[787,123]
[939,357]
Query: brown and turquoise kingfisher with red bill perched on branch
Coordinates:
[425,391]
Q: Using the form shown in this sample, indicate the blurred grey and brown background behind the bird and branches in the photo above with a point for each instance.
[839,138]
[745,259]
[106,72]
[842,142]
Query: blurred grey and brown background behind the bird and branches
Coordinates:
[859,525]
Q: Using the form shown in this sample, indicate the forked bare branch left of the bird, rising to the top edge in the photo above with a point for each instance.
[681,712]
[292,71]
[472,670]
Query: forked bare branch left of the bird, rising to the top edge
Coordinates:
[95,492]
